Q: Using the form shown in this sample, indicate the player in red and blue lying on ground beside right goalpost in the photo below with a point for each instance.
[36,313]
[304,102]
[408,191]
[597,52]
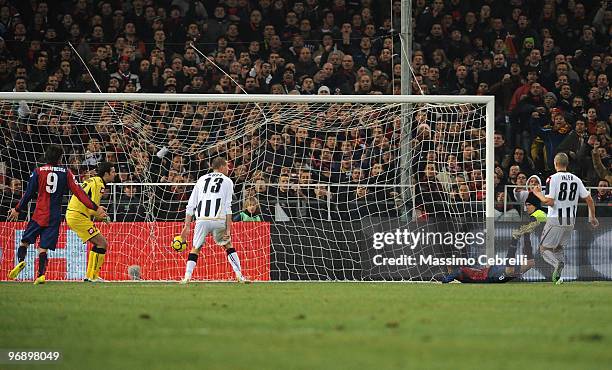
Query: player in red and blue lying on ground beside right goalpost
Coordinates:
[505,273]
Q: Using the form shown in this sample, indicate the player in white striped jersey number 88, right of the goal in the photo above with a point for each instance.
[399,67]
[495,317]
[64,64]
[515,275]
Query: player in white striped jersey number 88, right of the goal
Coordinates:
[562,193]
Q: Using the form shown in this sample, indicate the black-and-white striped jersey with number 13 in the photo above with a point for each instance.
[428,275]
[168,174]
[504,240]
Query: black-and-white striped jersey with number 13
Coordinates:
[211,198]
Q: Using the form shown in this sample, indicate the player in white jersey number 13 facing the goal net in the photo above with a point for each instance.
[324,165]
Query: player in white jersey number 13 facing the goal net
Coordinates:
[210,204]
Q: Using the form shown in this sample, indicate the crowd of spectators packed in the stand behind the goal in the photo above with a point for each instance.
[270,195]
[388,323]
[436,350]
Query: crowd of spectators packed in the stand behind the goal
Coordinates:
[548,64]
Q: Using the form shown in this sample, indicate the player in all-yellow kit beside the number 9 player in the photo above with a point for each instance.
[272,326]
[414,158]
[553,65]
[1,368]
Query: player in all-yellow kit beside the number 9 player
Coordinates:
[80,219]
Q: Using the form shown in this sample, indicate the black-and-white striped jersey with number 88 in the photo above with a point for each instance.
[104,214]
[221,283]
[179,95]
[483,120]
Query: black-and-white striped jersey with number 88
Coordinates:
[565,189]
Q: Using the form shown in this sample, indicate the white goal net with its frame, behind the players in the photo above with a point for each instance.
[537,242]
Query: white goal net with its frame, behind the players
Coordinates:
[326,188]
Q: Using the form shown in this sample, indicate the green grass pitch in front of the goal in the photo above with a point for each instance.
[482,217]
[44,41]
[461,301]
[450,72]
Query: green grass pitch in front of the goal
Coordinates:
[311,325]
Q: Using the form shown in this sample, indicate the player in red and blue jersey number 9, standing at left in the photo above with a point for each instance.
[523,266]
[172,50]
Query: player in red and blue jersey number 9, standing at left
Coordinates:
[50,183]
